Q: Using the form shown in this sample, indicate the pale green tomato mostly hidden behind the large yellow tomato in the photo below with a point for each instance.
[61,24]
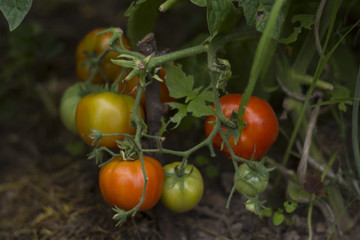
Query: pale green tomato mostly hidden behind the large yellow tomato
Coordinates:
[70,100]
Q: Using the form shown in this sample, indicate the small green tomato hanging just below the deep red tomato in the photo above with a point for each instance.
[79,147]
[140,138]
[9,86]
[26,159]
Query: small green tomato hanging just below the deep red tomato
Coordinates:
[253,179]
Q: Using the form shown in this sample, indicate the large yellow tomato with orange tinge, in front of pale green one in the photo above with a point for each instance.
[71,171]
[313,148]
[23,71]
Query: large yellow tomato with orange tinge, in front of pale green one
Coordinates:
[107,112]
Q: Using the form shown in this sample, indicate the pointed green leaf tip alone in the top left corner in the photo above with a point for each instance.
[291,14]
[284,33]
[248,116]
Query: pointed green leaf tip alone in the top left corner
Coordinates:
[15,11]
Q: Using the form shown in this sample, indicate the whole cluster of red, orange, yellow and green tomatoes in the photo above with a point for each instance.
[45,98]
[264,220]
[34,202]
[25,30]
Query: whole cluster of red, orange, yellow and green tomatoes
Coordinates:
[103,118]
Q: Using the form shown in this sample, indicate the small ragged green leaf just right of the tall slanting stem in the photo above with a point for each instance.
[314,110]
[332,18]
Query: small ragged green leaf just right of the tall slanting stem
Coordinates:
[305,20]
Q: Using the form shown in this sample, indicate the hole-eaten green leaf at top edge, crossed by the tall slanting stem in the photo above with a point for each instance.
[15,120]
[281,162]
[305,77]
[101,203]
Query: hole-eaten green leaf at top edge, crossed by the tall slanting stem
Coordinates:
[257,13]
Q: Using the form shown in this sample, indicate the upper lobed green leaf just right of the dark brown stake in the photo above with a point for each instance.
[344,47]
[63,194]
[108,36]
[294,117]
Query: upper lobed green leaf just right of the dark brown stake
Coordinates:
[179,84]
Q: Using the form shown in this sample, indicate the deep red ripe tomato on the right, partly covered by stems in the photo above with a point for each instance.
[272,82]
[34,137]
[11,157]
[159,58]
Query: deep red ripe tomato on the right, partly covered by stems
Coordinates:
[259,133]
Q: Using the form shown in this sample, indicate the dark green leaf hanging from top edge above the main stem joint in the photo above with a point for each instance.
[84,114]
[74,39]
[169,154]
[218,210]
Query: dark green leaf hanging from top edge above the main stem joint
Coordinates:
[222,16]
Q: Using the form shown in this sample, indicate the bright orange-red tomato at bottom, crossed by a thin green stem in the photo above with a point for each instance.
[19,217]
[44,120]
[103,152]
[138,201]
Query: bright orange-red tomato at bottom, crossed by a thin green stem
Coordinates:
[122,183]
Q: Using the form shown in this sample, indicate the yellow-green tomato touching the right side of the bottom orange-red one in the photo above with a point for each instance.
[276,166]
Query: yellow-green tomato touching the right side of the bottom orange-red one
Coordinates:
[182,191]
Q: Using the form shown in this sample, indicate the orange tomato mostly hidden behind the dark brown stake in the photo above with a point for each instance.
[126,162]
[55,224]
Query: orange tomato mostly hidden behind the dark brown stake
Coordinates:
[130,88]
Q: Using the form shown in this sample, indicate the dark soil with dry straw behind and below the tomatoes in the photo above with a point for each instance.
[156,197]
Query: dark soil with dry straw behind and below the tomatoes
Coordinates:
[48,188]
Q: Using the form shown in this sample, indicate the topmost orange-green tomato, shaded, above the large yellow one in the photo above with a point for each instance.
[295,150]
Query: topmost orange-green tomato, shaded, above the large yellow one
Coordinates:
[98,43]
